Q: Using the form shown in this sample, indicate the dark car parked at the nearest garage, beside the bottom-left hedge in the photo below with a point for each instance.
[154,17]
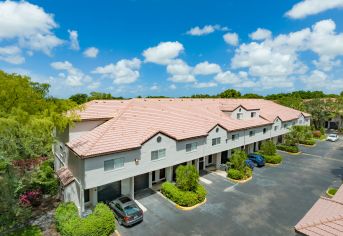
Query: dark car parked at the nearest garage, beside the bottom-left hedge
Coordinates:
[126,211]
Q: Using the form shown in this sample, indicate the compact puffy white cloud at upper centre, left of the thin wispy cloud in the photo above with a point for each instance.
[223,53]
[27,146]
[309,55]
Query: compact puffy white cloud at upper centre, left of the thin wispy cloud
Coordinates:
[163,53]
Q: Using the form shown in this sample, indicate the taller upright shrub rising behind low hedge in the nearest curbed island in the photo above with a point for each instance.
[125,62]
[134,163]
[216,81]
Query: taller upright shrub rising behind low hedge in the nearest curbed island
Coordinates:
[187,178]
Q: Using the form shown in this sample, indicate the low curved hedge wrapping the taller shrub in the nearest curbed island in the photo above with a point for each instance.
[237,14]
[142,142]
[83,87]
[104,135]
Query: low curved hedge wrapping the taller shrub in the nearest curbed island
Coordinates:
[183,198]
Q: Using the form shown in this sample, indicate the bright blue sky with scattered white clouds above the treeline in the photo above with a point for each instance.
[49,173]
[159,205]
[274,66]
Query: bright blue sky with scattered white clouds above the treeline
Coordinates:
[174,48]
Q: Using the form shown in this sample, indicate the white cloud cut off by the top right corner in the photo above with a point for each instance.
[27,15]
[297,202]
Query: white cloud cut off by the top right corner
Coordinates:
[311,7]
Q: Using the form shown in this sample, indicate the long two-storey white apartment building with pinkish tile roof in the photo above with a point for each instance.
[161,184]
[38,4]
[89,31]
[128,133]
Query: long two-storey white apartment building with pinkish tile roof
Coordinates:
[119,147]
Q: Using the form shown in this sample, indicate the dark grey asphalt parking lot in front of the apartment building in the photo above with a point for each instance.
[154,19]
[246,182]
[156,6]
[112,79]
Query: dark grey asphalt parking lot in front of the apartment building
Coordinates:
[270,204]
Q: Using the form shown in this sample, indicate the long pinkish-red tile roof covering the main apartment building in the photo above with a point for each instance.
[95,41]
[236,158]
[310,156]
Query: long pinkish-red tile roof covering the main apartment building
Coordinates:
[136,120]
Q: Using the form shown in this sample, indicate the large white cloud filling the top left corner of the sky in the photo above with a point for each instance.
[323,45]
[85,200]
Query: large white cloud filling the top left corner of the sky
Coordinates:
[30,24]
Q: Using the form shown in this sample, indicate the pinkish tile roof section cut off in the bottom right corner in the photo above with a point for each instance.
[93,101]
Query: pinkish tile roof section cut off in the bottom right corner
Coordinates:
[324,218]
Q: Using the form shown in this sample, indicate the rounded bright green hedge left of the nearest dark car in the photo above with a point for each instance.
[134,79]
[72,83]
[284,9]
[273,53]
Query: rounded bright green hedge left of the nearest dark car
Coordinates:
[99,223]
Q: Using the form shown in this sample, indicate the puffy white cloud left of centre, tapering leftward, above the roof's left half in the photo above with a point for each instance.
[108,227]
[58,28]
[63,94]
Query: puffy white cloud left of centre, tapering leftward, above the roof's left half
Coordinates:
[123,72]
